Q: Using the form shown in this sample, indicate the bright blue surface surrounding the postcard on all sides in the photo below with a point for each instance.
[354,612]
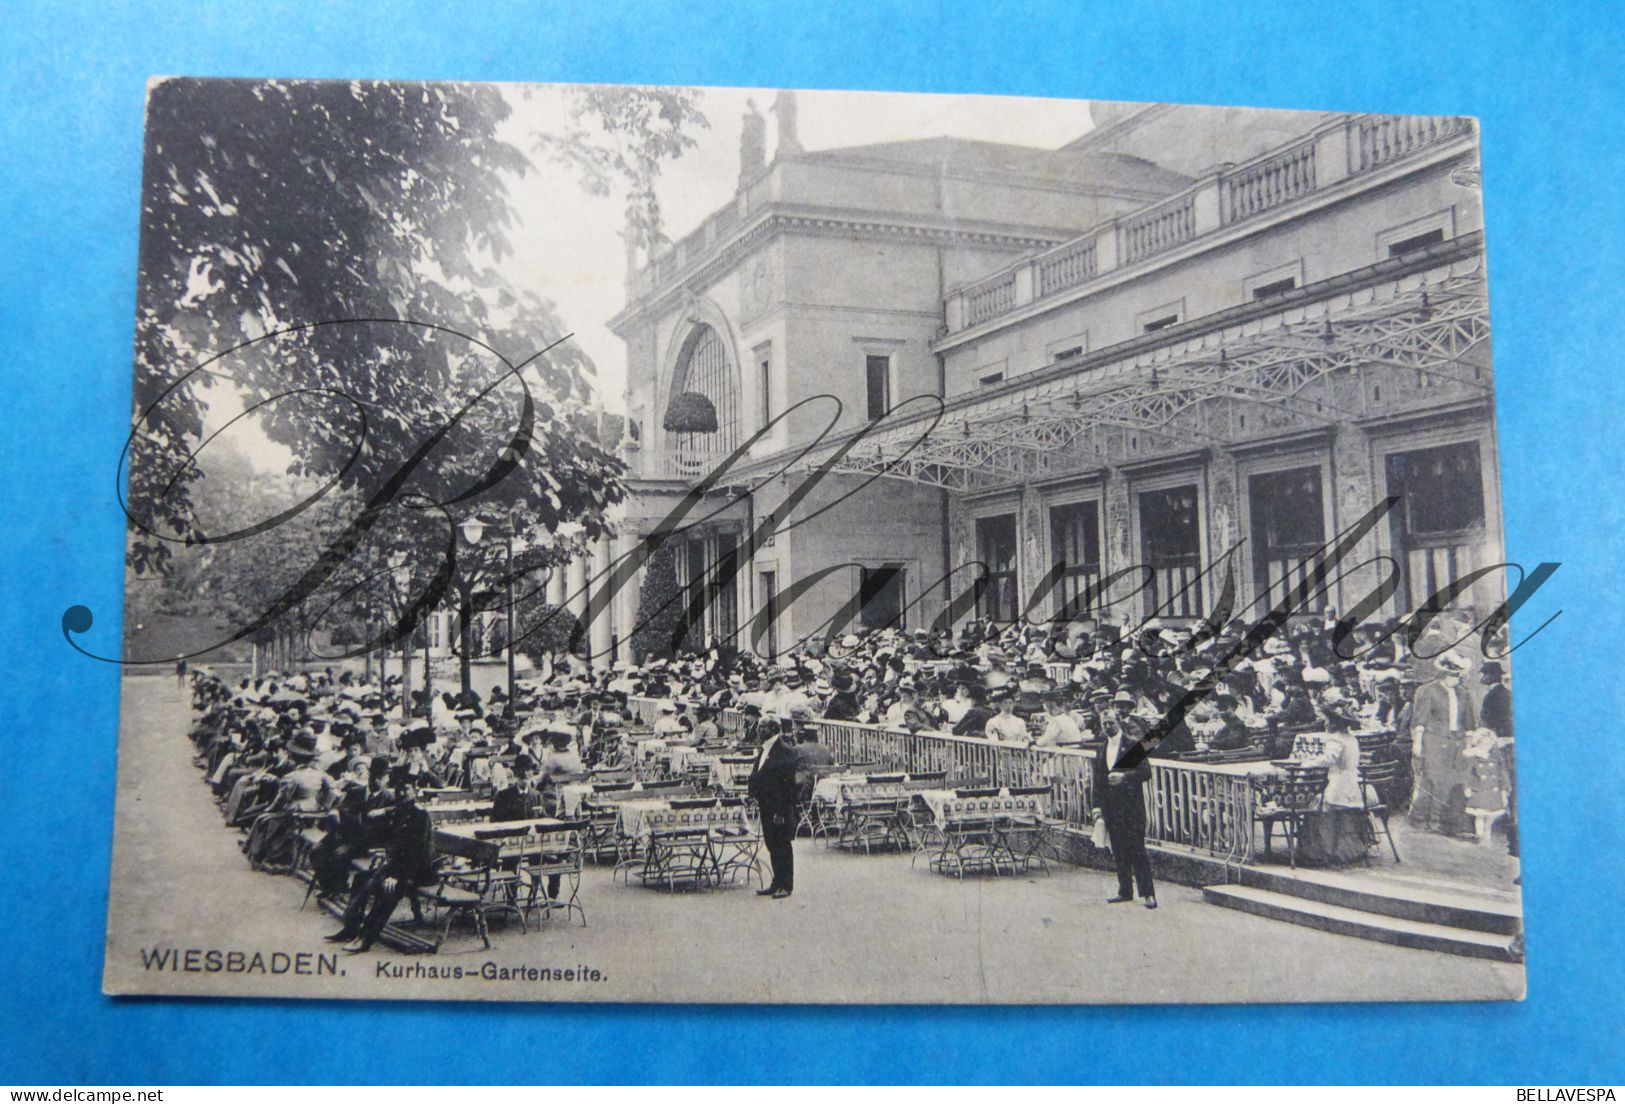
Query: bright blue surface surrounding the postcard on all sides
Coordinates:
[1545,82]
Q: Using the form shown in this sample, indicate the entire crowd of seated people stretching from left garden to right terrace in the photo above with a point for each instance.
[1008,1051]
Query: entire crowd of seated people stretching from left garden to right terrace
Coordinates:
[323,749]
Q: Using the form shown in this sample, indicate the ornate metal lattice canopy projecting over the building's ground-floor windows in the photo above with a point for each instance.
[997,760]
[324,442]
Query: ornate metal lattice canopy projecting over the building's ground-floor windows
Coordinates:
[1380,350]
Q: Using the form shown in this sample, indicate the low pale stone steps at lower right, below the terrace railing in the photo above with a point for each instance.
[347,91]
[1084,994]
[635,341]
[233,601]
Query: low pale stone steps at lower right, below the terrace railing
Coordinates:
[1289,903]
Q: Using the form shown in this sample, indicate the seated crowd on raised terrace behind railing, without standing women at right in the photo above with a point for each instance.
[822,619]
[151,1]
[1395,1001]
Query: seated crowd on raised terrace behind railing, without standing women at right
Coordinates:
[1034,684]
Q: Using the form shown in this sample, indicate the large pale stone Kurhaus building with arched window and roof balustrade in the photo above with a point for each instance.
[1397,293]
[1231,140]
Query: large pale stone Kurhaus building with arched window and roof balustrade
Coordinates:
[1093,370]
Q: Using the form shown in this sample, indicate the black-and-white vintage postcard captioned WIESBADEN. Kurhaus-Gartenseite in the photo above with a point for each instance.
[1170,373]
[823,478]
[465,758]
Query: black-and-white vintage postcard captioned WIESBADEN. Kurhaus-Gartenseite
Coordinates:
[750,545]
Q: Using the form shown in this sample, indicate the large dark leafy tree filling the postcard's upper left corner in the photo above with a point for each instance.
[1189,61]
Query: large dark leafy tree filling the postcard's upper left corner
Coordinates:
[334,253]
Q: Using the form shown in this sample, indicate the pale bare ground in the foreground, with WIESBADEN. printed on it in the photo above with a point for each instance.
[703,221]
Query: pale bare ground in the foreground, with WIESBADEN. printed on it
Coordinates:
[859,929]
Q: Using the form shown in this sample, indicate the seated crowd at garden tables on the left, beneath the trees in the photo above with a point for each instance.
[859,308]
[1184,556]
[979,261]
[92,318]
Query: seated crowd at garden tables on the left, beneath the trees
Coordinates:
[301,757]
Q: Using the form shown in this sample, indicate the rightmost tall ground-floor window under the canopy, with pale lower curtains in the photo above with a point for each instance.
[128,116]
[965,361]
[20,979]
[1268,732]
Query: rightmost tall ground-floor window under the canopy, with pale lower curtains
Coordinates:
[1441,516]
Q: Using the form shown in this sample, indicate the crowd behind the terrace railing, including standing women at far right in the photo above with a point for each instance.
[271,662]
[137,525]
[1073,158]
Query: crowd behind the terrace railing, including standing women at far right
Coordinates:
[1047,685]
